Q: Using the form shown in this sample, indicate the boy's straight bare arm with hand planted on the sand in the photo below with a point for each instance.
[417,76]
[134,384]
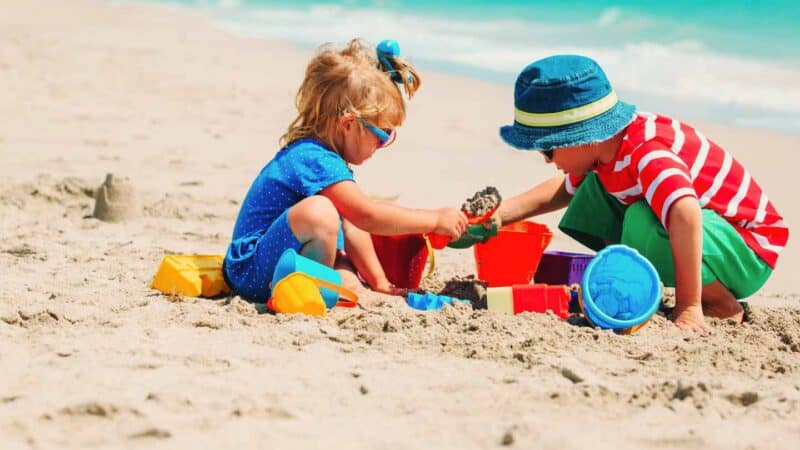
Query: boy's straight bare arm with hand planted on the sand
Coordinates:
[686,240]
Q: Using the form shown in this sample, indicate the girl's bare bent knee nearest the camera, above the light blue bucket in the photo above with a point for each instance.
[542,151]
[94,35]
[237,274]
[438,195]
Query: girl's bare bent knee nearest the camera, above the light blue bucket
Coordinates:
[315,223]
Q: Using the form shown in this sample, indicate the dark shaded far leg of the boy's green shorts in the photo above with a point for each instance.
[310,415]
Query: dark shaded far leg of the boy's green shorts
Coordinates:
[593,218]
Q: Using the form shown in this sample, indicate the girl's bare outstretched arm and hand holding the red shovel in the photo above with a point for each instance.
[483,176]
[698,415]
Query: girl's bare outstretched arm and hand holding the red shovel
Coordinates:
[387,219]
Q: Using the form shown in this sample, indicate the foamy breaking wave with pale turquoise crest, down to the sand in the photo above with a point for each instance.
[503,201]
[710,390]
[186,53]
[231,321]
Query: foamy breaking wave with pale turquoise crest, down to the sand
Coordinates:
[647,69]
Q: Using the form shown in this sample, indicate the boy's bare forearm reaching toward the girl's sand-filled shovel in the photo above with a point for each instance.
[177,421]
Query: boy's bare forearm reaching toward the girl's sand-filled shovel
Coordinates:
[550,195]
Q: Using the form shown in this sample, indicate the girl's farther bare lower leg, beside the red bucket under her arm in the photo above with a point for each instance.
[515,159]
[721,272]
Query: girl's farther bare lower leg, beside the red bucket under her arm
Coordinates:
[361,252]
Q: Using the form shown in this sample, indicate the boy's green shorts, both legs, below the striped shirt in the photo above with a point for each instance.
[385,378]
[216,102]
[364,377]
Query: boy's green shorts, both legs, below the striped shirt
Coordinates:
[595,218]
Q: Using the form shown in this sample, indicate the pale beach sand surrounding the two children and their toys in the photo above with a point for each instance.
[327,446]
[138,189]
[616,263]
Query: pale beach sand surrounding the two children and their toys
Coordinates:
[91,357]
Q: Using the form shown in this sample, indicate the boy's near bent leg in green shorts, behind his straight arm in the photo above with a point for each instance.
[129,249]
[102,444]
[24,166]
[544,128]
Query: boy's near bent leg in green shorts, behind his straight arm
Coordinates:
[730,269]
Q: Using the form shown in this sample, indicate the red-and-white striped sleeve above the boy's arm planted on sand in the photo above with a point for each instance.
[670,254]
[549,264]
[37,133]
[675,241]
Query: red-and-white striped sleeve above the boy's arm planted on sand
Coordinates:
[663,176]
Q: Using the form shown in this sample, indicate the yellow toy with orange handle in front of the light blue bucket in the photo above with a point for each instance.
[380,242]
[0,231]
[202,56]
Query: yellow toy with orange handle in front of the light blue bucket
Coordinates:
[299,293]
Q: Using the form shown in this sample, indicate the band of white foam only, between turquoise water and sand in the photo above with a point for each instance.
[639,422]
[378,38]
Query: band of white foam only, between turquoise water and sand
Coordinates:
[685,69]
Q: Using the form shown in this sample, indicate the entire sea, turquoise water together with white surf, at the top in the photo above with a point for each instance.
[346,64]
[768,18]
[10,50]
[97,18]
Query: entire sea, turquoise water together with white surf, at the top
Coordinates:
[730,61]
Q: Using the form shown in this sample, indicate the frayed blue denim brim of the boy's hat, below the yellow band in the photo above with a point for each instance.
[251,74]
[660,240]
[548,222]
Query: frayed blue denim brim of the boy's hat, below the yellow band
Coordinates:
[596,129]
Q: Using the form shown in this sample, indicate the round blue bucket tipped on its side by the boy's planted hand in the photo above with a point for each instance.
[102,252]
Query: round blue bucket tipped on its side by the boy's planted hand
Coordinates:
[621,290]
